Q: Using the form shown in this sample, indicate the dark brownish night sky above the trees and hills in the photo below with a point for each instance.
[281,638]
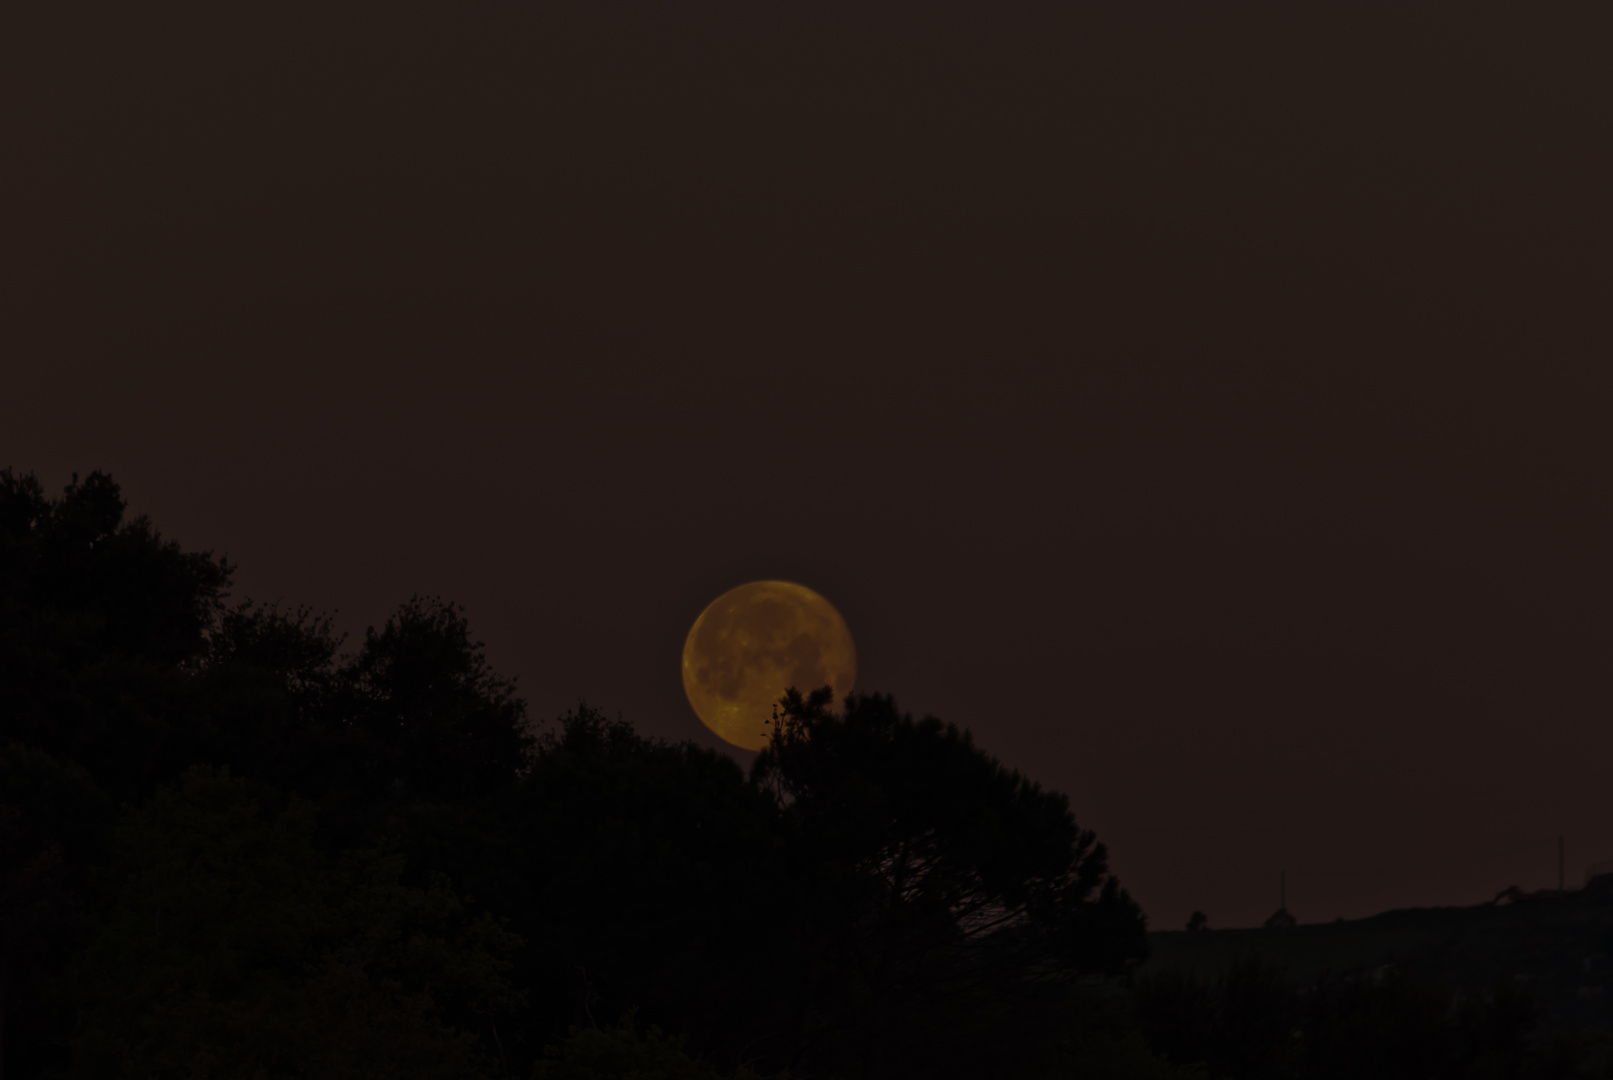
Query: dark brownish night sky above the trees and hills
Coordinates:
[1209,409]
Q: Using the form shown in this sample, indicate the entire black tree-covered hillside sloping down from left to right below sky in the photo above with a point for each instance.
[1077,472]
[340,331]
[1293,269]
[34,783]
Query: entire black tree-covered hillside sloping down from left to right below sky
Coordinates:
[233,845]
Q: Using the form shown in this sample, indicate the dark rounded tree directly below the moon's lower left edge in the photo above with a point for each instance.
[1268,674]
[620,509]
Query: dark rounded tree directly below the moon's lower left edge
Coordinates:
[651,876]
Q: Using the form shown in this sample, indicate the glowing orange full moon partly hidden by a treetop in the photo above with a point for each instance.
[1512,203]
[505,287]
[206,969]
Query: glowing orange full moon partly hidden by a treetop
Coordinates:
[751,646]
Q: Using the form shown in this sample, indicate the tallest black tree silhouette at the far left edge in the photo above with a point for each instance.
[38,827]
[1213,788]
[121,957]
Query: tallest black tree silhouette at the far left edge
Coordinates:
[101,621]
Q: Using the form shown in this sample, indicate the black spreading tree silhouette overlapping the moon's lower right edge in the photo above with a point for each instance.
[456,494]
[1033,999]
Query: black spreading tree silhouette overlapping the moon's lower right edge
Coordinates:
[946,897]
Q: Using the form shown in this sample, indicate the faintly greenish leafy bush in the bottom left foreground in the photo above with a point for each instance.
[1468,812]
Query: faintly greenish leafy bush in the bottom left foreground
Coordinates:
[233,947]
